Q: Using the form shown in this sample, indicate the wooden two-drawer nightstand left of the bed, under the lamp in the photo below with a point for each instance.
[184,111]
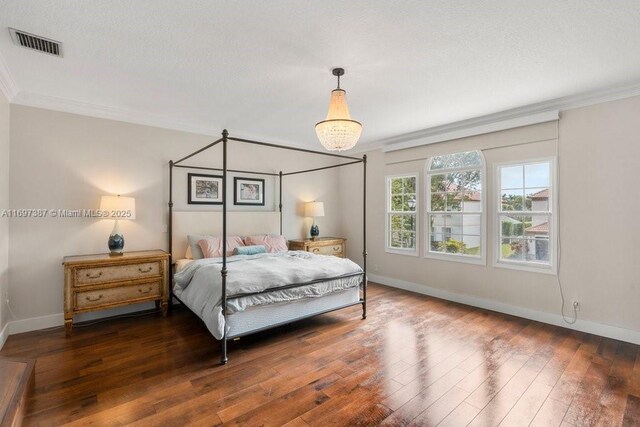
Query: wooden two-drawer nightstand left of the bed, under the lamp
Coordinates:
[98,282]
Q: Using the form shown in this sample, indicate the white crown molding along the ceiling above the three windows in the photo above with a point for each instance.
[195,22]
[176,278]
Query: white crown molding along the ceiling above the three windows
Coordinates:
[508,119]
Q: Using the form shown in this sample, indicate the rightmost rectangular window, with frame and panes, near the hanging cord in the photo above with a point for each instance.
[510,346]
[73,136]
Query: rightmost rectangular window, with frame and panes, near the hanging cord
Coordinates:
[525,221]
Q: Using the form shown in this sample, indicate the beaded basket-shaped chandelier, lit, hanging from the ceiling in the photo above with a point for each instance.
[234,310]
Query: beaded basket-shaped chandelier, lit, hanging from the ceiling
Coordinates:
[338,132]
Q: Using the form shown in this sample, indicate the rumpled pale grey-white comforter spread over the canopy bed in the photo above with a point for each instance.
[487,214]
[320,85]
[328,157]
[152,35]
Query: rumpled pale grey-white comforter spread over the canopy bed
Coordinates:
[199,285]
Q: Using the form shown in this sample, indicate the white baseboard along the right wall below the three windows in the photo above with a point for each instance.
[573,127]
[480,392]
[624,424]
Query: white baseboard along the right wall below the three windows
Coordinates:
[622,334]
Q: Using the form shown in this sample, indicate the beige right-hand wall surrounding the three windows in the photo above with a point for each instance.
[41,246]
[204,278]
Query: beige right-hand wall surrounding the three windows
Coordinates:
[599,205]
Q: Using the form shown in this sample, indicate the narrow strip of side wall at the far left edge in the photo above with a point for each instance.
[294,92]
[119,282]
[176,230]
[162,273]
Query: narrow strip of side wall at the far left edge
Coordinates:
[4,204]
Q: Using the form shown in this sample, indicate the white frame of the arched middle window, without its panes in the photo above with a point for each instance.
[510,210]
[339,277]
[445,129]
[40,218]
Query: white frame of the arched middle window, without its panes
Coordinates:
[463,258]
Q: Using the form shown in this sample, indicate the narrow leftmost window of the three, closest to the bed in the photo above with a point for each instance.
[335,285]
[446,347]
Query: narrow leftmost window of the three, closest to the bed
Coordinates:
[401,214]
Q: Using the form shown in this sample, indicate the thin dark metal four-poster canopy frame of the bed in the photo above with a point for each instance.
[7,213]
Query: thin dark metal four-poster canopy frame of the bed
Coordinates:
[225,140]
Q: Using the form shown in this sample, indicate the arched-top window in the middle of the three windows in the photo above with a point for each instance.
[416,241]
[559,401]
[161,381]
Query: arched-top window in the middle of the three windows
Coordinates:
[455,205]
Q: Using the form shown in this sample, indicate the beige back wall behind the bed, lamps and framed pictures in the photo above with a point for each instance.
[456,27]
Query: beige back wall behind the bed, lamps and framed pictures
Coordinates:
[66,161]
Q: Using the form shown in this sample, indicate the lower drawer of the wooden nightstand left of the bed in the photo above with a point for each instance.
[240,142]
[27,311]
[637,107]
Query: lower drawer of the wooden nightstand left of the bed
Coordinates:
[109,296]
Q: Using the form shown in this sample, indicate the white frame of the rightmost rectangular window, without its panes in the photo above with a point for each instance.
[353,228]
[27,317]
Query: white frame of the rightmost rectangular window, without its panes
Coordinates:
[552,267]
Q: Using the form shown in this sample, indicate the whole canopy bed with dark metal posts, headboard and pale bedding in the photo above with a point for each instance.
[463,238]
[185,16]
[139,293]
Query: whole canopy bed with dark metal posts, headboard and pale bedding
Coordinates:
[244,294]
